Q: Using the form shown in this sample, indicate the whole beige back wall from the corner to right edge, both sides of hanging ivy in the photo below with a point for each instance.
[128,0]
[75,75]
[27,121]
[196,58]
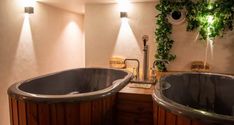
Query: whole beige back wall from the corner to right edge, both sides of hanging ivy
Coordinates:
[106,36]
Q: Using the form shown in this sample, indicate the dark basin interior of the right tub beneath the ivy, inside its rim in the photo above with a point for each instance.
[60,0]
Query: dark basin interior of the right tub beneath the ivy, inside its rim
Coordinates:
[212,93]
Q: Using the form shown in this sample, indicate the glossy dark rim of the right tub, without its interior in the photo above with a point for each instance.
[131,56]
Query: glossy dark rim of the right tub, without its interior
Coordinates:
[180,109]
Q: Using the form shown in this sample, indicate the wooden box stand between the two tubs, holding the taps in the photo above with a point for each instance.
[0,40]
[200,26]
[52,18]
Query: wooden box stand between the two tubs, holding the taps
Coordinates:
[134,106]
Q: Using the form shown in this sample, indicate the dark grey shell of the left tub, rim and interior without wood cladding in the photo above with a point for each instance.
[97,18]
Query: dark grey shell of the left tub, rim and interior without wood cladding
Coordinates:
[71,85]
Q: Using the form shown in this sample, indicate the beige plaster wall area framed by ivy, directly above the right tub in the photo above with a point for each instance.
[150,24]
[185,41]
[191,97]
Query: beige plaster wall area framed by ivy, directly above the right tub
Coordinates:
[188,49]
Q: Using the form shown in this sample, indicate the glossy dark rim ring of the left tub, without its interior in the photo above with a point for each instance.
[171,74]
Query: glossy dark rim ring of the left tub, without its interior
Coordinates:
[15,92]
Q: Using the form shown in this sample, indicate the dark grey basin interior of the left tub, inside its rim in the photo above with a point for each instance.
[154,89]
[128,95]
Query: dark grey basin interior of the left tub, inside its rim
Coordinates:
[72,82]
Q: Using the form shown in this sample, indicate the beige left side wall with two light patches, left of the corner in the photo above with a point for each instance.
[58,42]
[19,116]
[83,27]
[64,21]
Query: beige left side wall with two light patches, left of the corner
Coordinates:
[47,41]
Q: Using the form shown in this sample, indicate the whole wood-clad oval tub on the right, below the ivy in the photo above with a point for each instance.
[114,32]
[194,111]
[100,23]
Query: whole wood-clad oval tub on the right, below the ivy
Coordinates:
[194,99]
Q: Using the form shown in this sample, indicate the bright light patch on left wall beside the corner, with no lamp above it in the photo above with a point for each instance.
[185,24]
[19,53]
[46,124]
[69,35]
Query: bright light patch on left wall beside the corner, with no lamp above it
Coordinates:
[71,45]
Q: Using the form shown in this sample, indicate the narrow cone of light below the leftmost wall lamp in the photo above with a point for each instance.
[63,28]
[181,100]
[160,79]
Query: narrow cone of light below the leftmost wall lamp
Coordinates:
[25,59]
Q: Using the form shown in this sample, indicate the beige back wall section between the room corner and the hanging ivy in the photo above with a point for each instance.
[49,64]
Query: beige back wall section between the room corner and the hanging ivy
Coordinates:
[106,35]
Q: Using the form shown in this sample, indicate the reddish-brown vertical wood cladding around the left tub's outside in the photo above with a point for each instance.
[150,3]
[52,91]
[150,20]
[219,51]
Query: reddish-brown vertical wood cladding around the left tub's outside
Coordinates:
[96,112]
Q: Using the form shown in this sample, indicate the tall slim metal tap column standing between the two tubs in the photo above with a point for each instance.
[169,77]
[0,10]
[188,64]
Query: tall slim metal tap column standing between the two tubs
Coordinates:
[145,38]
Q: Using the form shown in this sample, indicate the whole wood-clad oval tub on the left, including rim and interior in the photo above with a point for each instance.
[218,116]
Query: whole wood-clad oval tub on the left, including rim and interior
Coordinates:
[74,97]
